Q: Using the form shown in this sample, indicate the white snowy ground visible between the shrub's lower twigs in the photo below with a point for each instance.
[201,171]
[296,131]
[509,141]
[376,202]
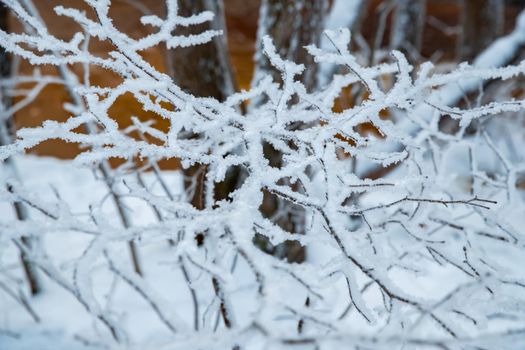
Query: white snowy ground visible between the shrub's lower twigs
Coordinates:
[64,323]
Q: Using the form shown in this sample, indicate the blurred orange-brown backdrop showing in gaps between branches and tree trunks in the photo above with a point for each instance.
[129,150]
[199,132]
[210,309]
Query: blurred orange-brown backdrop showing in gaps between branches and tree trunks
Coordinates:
[440,44]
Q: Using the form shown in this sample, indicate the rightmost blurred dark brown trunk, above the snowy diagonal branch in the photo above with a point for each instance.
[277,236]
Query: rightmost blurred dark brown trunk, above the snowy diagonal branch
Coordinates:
[481,22]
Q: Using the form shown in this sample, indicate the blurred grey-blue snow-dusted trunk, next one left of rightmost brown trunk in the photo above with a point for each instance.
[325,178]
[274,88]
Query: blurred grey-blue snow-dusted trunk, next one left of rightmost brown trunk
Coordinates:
[407,27]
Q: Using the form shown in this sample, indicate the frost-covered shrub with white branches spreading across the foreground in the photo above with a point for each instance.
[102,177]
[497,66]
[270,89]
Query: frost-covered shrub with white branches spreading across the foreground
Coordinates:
[412,236]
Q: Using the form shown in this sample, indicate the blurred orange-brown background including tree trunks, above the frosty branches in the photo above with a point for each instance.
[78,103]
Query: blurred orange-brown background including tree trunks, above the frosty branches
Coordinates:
[442,31]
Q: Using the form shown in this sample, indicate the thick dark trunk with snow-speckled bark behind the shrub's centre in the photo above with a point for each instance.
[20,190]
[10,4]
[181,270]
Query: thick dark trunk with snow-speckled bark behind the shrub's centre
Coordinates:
[292,24]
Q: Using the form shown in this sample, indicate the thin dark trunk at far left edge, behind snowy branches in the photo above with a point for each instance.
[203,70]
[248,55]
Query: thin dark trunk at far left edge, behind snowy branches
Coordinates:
[6,138]
